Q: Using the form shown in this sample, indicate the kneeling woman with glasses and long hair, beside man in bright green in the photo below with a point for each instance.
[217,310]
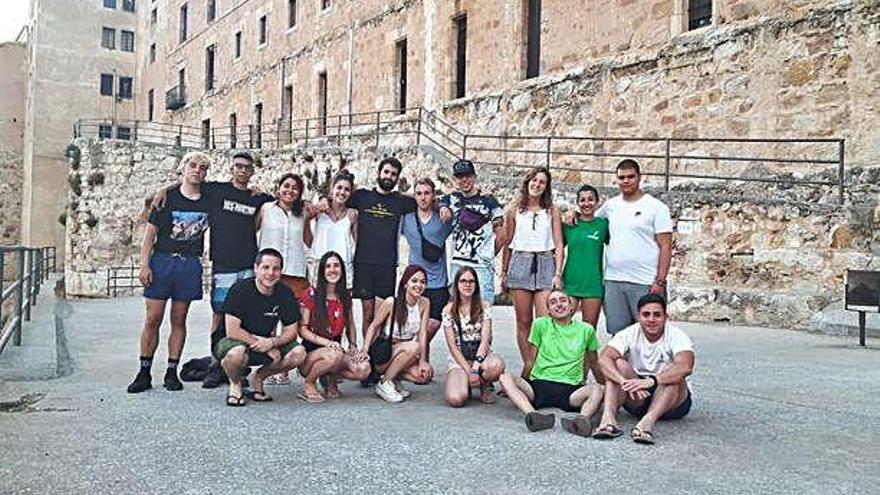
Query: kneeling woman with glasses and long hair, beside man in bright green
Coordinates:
[467,321]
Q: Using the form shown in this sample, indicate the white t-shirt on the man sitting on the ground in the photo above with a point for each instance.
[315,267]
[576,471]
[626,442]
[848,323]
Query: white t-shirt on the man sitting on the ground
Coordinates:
[650,358]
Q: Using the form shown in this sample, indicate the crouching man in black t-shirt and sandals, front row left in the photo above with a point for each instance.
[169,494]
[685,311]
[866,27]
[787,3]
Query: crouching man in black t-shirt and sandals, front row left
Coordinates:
[253,308]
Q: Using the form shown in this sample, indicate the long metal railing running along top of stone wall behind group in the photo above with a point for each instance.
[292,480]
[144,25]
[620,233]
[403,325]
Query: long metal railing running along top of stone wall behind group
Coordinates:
[789,162]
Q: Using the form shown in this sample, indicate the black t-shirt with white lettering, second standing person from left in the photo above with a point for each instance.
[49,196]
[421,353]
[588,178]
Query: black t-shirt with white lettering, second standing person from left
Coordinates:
[233,225]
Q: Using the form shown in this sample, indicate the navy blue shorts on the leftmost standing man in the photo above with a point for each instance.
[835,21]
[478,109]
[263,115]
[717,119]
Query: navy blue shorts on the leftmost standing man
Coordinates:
[175,277]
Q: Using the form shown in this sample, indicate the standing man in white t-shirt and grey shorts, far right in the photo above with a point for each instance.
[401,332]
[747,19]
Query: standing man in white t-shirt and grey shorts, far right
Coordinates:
[640,248]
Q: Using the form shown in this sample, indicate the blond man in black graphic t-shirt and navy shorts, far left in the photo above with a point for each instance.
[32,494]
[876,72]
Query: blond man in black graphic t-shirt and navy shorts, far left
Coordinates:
[171,268]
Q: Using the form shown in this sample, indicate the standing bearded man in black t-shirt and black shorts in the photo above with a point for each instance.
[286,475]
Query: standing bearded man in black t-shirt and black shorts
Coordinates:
[378,227]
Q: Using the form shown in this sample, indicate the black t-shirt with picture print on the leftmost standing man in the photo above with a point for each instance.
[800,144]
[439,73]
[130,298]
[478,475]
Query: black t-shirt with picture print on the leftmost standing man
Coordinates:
[181,224]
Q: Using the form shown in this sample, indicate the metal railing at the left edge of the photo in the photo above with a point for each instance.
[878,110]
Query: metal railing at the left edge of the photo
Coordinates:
[27,269]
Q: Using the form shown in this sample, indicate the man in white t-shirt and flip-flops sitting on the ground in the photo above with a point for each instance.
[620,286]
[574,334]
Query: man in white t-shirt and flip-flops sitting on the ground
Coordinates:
[646,368]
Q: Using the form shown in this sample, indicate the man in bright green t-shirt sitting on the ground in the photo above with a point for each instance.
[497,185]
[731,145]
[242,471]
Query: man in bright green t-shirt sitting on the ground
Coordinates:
[565,349]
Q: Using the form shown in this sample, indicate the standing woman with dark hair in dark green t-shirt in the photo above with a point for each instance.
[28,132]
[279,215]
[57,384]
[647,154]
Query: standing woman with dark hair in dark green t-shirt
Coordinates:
[586,240]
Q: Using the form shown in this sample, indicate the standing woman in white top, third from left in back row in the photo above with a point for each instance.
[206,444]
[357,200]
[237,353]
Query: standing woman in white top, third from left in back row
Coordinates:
[283,226]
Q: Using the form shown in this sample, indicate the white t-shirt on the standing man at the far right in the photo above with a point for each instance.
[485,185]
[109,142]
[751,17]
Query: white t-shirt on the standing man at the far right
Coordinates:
[633,252]
